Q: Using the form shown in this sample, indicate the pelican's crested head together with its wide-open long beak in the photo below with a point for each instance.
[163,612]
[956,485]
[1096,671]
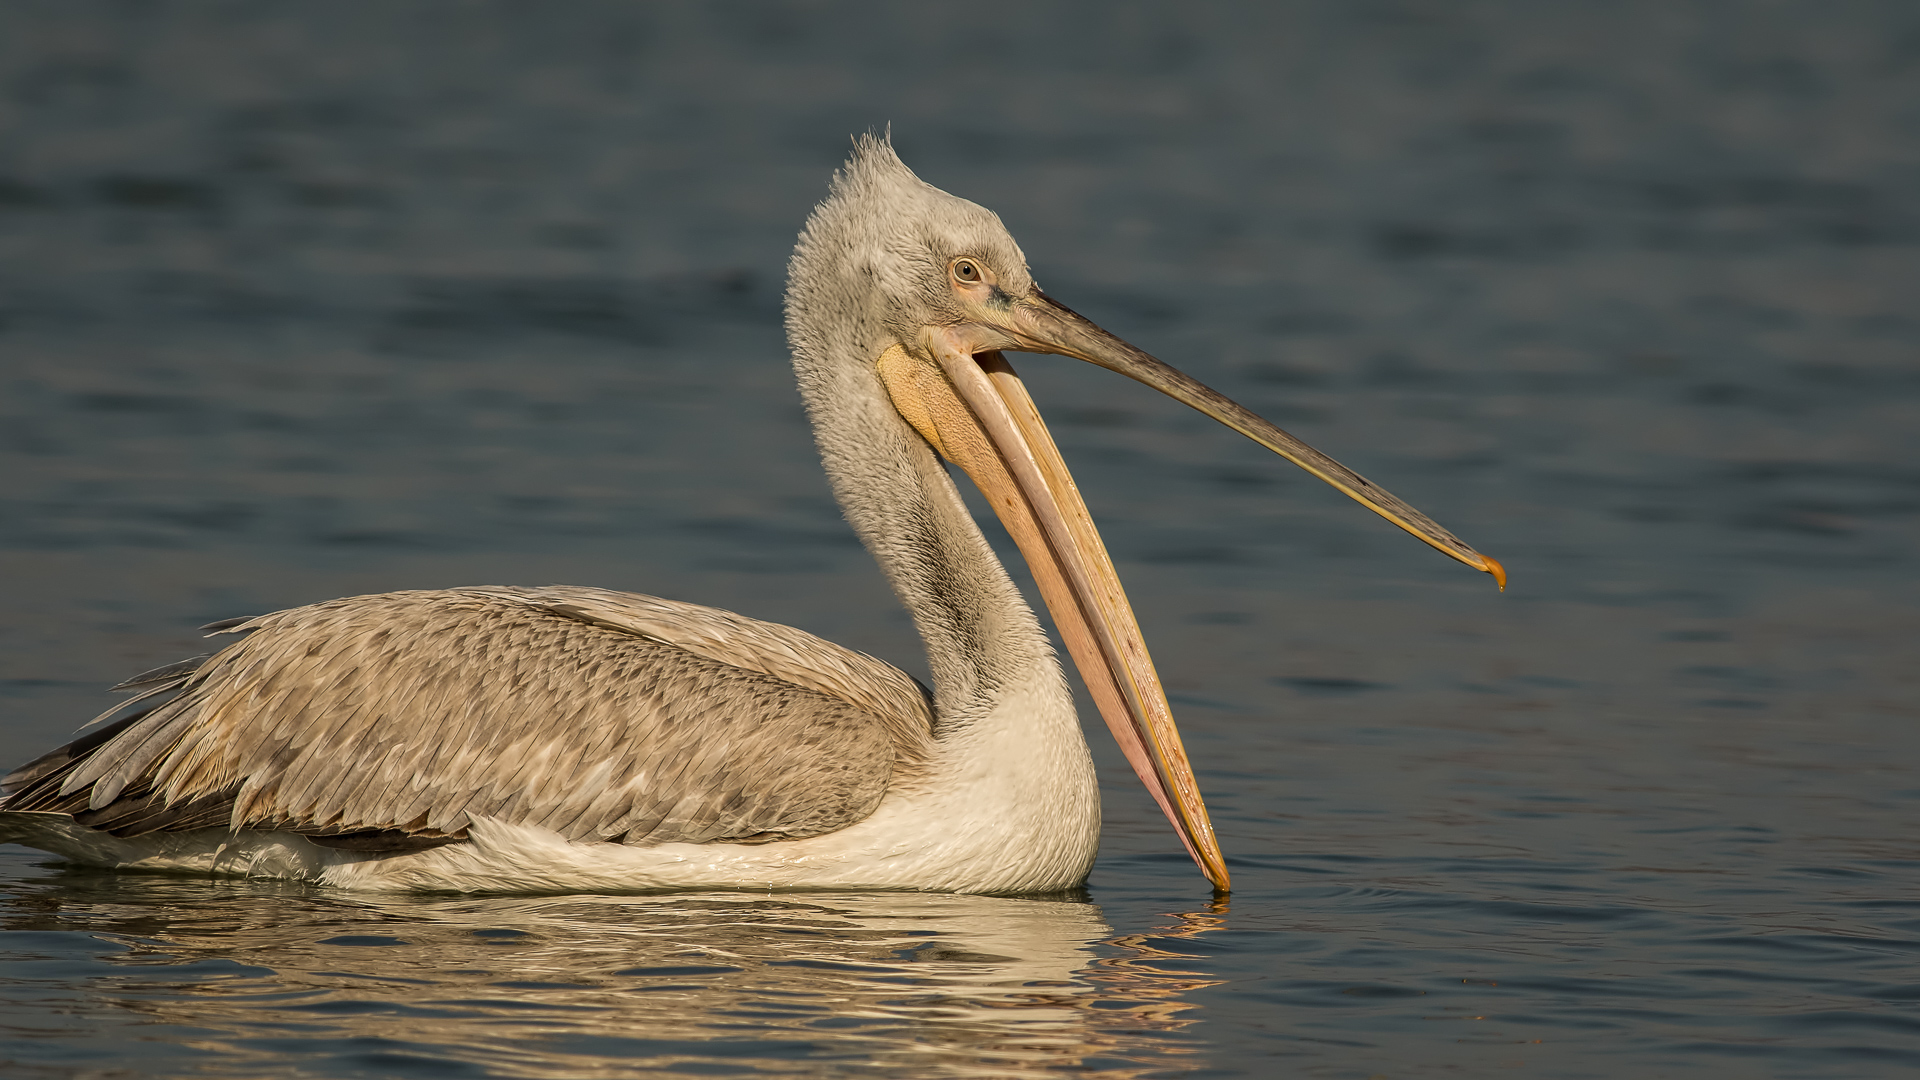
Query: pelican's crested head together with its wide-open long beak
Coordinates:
[901,301]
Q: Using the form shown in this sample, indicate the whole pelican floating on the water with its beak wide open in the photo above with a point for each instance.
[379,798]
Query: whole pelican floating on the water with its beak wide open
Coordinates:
[575,739]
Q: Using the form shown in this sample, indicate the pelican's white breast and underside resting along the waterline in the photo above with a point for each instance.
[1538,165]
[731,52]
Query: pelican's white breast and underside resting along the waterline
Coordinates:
[1009,808]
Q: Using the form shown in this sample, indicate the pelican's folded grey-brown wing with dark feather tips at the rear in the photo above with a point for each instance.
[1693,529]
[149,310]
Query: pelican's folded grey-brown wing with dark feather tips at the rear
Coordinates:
[395,722]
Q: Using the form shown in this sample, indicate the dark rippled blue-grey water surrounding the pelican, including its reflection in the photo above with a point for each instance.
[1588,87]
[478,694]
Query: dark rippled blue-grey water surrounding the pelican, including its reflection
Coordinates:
[314,301]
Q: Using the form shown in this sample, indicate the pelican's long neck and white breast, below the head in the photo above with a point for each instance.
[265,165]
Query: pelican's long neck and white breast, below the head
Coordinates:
[1011,775]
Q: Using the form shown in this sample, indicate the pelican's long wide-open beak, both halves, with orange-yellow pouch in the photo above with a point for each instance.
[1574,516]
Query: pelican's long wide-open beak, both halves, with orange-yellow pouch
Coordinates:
[976,412]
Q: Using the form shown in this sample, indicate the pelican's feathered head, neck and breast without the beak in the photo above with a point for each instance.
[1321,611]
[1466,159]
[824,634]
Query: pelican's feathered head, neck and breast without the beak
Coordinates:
[1011,754]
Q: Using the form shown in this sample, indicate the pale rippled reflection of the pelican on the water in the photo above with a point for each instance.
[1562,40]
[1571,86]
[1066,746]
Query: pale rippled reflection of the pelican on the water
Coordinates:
[919,985]
